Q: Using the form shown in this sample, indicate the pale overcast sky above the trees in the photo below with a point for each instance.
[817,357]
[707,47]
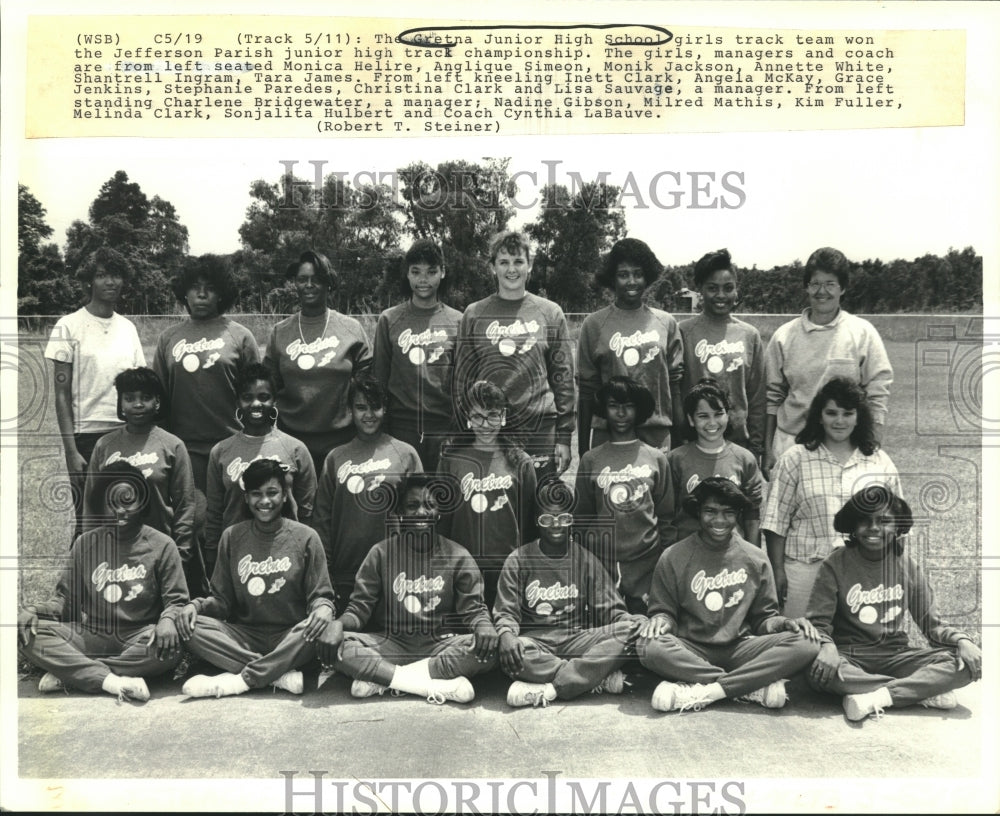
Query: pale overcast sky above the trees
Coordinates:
[887,194]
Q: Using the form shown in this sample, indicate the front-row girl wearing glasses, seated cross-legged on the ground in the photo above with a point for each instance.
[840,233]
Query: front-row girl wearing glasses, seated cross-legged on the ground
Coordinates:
[564,629]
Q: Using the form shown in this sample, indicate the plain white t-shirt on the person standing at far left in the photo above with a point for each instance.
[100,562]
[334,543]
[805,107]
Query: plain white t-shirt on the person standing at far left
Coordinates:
[99,349]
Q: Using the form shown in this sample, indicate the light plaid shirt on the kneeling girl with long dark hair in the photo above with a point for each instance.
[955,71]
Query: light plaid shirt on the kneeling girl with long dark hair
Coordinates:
[809,487]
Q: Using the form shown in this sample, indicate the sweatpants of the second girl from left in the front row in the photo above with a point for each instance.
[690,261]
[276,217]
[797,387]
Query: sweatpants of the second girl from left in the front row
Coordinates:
[259,654]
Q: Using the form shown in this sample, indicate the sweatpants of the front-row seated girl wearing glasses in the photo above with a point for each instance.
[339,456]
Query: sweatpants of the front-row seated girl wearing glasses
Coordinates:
[575,662]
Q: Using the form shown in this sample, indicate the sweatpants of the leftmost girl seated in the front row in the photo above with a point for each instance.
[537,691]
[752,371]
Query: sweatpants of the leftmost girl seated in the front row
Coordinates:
[82,658]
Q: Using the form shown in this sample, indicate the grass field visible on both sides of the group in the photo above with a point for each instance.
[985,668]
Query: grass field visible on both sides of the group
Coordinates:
[939,466]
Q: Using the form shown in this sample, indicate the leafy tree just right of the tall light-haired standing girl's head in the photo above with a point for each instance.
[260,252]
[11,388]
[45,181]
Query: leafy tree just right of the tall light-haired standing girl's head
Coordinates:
[573,231]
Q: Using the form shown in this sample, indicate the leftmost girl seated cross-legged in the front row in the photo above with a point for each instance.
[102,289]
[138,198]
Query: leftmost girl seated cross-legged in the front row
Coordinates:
[111,622]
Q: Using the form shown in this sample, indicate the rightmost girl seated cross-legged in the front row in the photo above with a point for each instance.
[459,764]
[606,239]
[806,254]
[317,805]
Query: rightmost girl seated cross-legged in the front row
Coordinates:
[857,611]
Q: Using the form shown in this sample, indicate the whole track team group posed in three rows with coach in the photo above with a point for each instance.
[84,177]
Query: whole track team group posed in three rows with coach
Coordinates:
[396,514]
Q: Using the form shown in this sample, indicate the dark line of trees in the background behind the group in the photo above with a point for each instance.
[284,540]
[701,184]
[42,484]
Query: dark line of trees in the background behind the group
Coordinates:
[364,230]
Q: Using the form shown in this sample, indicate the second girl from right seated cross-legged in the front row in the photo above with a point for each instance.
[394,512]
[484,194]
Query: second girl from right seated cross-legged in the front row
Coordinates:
[714,629]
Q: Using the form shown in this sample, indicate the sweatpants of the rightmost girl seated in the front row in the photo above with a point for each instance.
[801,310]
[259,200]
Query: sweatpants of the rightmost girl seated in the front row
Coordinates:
[911,675]
